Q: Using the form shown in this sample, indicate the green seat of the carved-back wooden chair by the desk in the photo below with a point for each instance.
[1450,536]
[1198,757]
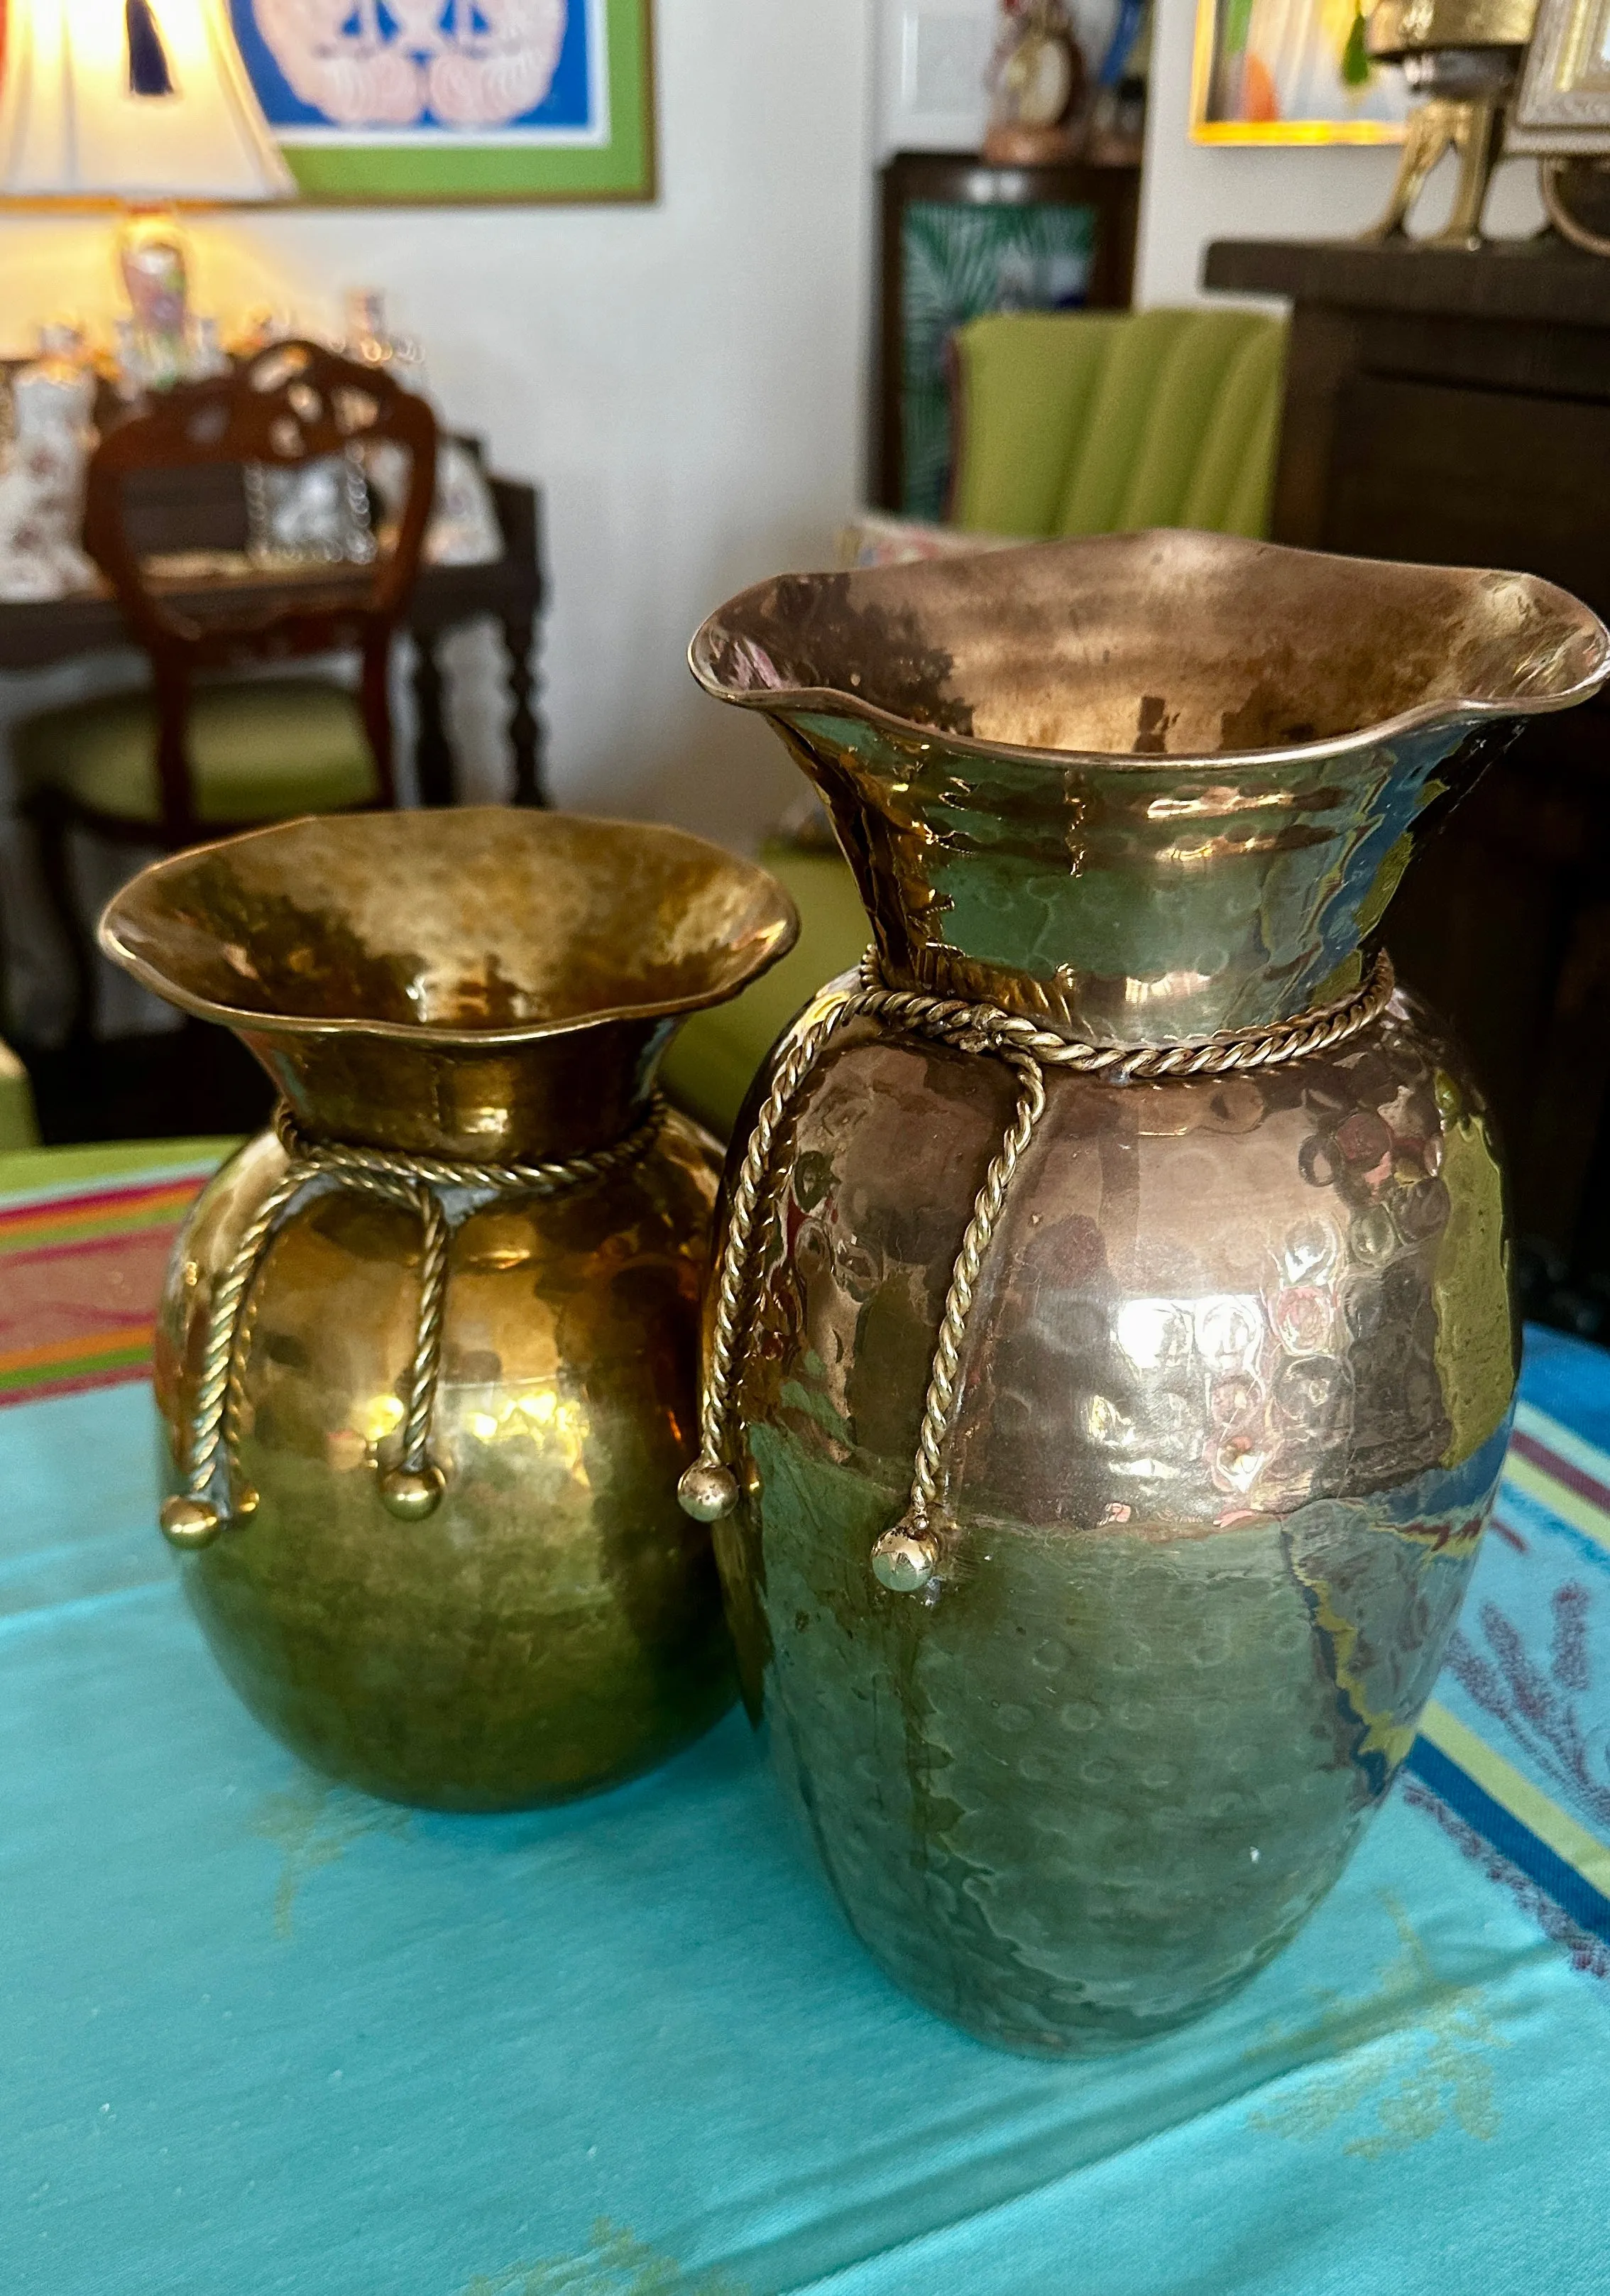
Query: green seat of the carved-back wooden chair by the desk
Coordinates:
[261,752]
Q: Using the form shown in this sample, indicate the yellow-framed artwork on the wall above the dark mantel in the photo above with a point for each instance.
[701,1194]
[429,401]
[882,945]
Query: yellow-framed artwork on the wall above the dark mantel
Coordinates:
[1292,72]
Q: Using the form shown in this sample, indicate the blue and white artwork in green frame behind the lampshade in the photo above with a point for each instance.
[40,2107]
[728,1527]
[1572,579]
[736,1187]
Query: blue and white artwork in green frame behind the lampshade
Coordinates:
[456,100]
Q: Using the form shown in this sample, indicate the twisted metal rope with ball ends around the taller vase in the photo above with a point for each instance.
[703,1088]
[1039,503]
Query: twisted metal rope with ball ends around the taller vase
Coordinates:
[908,1556]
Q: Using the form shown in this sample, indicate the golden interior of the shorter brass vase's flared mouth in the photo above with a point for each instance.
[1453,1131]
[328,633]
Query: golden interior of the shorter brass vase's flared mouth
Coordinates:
[470,922]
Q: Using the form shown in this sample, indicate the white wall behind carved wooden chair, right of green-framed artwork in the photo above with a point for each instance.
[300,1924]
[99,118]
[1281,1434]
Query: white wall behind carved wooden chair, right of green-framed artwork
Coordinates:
[683,380]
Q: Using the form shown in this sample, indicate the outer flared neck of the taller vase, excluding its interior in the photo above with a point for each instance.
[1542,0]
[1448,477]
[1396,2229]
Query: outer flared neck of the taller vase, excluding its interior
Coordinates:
[1127,901]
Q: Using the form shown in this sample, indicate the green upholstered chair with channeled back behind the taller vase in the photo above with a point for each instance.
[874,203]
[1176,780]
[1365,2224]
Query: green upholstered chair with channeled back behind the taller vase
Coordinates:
[1083,424]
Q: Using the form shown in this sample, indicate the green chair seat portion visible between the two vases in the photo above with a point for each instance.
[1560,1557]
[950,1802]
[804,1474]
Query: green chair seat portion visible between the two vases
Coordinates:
[715,1055]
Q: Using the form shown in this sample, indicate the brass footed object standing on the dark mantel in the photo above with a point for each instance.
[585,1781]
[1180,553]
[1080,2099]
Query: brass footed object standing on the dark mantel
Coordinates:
[1464,59]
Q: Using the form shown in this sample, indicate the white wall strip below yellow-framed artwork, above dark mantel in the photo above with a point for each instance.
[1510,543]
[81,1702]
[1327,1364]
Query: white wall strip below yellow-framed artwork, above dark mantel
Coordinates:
[1193,194]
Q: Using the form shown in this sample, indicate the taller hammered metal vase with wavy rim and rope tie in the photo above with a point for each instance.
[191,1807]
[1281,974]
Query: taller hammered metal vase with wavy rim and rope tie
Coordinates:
[1113,1349]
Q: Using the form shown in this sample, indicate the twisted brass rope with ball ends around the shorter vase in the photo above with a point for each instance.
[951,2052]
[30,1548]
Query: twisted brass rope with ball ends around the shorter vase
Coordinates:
[412,1489]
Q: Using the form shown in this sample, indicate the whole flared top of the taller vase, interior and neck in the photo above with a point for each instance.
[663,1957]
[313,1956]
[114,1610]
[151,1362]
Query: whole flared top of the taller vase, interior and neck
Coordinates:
[1143,786]
